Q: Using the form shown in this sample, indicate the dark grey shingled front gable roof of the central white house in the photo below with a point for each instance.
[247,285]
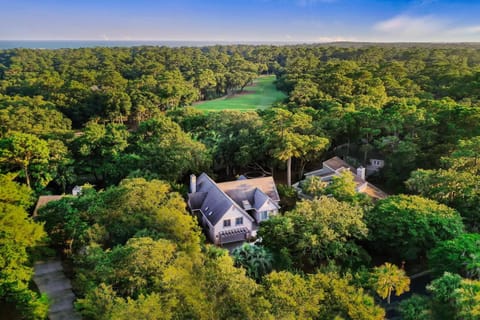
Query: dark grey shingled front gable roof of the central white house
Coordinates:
[212,201]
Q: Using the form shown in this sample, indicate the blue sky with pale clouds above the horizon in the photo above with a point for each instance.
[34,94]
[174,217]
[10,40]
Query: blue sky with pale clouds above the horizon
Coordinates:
[241,20]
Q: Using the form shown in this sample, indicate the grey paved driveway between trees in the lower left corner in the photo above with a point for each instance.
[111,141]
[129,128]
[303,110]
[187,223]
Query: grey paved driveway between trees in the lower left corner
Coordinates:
[51,280]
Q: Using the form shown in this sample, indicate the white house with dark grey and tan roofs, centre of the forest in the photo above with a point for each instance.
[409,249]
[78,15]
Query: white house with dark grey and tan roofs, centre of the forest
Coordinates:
[231,211]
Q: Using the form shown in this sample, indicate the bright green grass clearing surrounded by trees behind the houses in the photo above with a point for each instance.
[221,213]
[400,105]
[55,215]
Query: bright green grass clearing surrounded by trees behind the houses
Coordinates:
[263,95]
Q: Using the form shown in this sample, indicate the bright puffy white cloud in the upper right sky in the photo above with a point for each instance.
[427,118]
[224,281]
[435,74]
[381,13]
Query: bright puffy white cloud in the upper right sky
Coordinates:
[406,26]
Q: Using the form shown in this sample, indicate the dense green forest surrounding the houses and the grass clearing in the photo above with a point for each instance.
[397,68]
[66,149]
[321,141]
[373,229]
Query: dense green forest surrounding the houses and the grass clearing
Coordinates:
[121,122]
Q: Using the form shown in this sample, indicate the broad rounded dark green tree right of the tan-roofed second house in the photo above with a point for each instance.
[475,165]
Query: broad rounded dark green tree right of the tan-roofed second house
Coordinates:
[407,226]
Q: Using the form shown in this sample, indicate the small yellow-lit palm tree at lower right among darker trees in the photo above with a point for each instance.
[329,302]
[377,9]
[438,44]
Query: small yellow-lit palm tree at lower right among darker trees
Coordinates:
[388,278]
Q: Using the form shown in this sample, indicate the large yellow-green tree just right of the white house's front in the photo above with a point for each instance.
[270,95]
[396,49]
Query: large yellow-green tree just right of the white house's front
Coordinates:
[315,232]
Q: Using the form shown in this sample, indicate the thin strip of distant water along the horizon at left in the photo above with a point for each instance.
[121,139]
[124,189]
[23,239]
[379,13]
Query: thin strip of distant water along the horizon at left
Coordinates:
[74,44]
